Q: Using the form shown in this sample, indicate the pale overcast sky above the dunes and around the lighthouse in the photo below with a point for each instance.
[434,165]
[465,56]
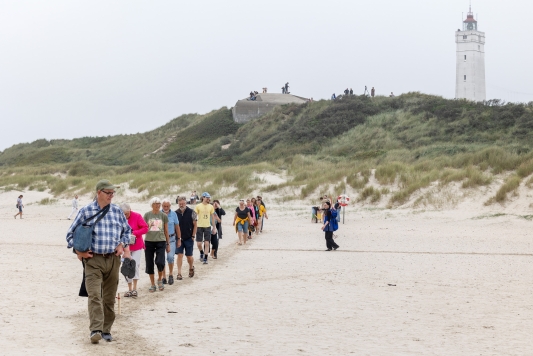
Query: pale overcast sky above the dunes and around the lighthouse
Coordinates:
[96,68]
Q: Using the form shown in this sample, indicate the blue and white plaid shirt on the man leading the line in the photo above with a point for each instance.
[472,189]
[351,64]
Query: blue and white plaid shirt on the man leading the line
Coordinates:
[108,233]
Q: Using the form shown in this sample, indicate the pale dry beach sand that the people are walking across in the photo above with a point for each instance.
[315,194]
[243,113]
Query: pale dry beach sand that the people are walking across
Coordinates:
[456,282]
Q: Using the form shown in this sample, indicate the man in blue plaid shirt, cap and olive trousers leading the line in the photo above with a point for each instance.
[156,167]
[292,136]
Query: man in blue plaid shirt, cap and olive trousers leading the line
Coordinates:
[111,236]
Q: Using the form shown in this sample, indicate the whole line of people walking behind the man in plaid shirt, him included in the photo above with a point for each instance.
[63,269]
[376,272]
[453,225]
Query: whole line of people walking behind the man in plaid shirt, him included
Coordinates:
[118,232]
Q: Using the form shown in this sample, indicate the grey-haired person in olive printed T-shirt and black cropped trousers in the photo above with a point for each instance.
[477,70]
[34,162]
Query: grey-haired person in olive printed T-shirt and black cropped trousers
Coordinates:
[156,242]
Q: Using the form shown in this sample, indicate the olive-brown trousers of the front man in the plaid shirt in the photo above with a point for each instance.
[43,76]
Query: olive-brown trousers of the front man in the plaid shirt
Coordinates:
[101,281]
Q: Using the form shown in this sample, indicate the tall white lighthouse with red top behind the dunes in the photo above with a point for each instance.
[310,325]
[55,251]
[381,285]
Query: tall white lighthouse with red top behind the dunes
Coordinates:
[470,71]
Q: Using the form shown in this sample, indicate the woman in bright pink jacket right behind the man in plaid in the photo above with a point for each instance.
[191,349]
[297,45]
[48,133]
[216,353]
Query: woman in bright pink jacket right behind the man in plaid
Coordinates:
[139,228]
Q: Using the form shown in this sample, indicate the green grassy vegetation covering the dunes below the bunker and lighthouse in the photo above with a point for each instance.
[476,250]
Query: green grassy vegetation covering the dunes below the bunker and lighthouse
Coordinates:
[385,150]
